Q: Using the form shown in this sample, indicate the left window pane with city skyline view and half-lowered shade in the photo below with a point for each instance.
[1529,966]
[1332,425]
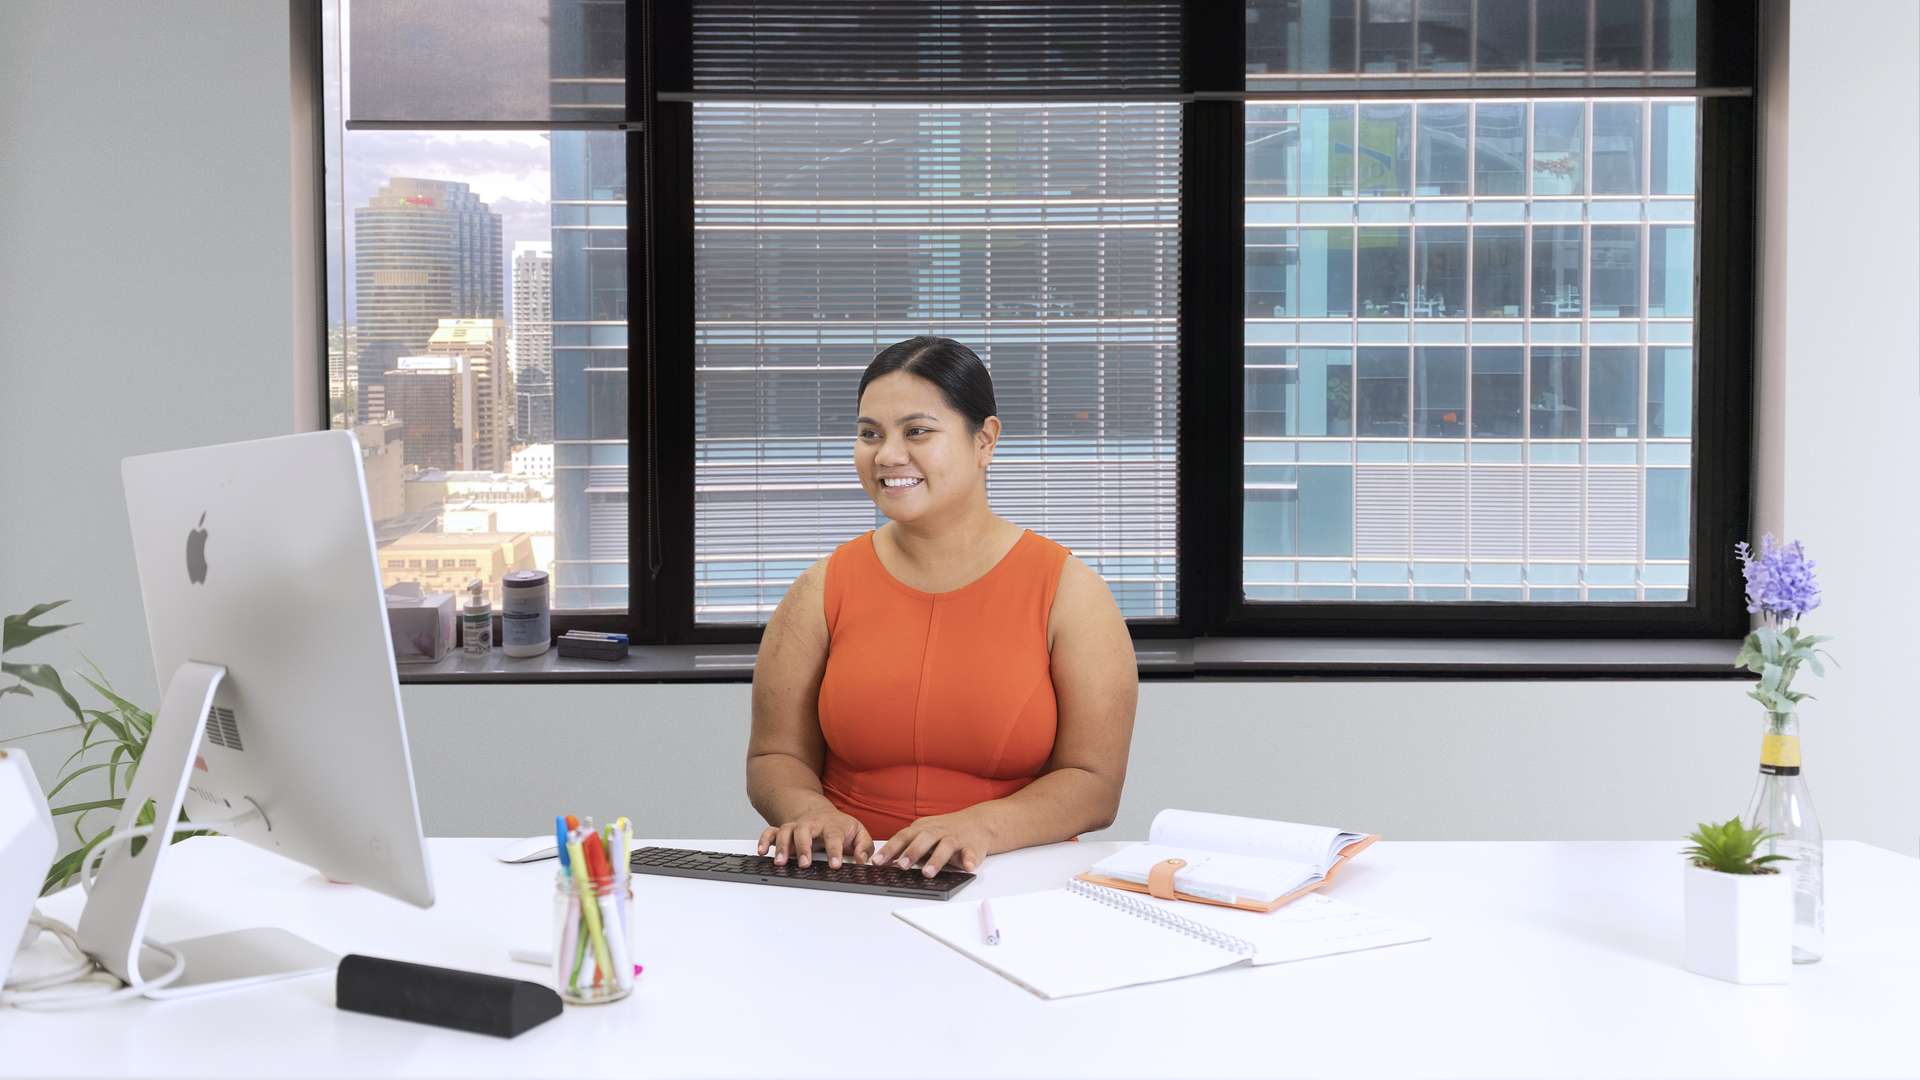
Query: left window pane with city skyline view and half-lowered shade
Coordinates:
[477,285]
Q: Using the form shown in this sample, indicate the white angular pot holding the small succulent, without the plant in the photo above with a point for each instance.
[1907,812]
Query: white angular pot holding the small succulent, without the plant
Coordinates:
[1739,927]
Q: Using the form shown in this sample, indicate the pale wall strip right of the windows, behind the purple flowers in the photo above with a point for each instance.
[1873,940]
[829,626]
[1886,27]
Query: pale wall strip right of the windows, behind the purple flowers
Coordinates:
[1848,399]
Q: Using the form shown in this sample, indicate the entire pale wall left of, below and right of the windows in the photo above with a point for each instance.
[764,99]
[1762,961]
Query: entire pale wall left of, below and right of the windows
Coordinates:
[145,307]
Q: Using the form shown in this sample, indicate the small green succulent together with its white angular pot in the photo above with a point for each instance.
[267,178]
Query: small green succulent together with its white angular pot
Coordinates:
[1739,906]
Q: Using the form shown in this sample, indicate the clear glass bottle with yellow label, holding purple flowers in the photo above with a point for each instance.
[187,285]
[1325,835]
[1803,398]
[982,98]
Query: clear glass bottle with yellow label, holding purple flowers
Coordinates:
[1781,804]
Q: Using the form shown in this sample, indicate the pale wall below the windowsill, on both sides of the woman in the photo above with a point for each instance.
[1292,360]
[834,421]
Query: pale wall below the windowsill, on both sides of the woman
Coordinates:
[1418,762]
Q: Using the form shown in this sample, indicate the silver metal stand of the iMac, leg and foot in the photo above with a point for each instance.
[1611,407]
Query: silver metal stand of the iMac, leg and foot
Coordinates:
[114,923]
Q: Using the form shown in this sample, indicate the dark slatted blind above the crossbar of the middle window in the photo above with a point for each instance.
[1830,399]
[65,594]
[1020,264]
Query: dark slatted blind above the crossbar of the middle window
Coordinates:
[913,49]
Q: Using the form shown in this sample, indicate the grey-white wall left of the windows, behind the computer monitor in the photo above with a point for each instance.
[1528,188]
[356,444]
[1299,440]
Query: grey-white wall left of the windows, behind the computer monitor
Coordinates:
[147,282]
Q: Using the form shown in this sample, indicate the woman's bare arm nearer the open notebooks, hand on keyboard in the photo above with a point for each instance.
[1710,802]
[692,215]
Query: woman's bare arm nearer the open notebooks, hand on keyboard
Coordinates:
[1097,687]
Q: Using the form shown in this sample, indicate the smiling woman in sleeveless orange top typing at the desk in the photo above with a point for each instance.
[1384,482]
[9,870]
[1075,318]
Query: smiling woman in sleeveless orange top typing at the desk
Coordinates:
[949,681]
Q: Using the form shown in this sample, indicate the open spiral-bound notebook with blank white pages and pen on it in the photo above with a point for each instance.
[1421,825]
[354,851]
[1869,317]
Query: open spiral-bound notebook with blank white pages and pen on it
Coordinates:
[1086,939]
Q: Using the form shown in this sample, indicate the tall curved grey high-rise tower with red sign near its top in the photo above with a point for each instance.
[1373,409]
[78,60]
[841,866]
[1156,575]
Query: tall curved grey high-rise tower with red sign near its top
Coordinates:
[423,251]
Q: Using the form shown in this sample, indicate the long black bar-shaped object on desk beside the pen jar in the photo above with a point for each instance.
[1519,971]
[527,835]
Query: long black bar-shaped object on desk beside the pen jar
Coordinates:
[466,1000]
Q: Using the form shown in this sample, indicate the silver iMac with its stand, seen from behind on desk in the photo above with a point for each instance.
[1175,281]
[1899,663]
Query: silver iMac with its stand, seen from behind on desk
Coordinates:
[281,716]
